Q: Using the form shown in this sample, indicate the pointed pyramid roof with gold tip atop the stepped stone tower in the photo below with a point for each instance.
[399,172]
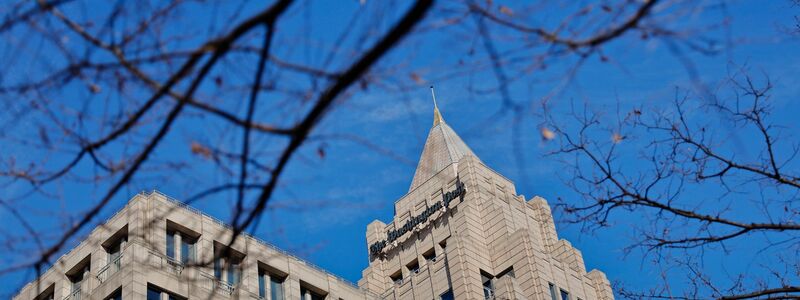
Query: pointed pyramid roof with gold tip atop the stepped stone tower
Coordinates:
[443,147]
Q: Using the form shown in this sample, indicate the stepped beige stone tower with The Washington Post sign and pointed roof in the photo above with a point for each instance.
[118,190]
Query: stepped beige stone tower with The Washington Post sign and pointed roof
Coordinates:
[462,232]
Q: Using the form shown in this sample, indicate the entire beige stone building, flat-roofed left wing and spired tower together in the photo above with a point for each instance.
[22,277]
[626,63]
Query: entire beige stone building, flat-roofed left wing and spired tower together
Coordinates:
[460,232]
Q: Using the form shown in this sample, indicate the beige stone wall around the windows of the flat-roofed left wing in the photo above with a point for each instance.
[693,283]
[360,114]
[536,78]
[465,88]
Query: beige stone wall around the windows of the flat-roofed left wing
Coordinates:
[144,261]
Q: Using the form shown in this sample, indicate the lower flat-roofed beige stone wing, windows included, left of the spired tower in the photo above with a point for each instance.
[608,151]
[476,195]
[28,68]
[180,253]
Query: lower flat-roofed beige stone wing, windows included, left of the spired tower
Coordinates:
[127,257]
